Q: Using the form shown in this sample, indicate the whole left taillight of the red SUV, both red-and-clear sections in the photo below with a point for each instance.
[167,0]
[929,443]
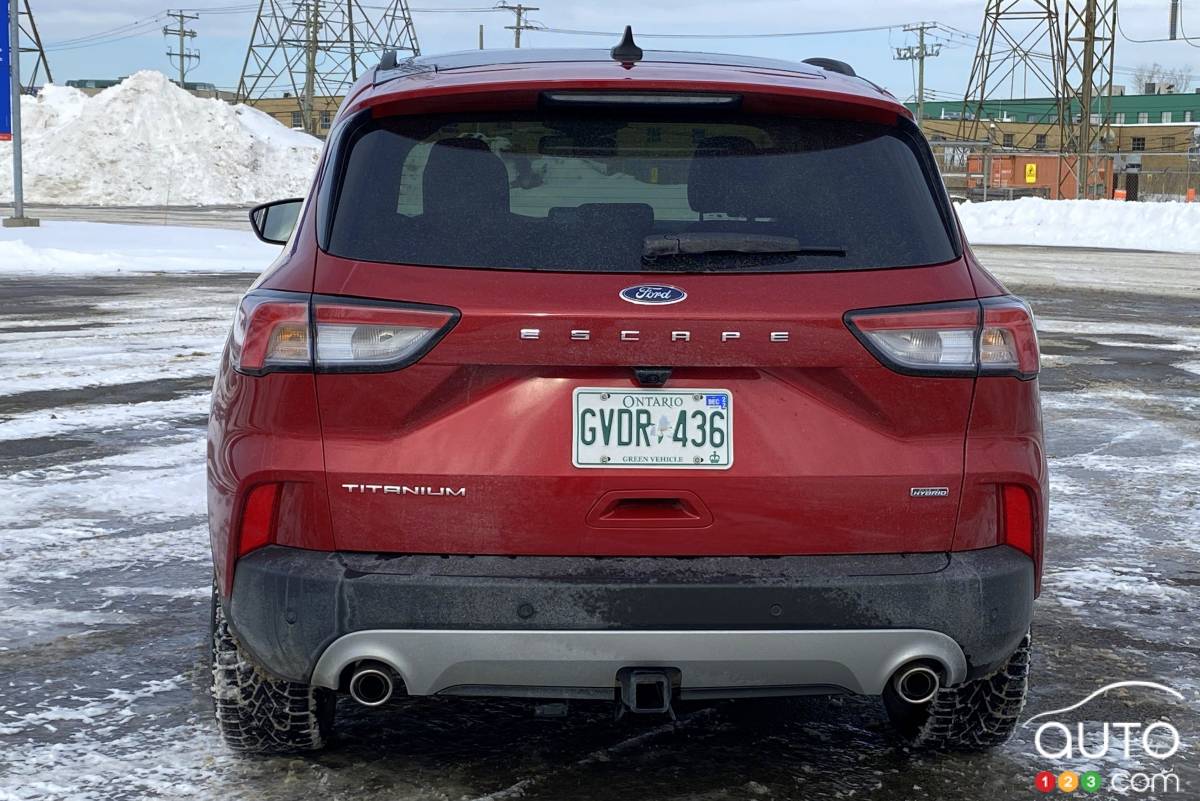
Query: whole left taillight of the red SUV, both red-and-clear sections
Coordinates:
[279,332]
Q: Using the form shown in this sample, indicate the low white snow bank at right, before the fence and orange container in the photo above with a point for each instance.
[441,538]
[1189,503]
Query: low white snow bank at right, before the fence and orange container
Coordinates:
[1085,224]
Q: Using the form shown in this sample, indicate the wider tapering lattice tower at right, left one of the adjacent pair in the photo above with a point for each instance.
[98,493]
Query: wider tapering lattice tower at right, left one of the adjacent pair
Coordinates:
[1019,40]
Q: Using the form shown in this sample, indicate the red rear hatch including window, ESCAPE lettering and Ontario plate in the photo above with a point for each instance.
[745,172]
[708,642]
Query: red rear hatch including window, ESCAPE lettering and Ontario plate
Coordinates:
[629,339]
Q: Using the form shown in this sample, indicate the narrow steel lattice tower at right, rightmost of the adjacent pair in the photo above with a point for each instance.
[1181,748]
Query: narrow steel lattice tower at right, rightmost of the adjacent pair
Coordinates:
[1088,87]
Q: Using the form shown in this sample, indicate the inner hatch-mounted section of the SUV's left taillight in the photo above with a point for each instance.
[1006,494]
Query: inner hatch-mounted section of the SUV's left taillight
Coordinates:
[363,336]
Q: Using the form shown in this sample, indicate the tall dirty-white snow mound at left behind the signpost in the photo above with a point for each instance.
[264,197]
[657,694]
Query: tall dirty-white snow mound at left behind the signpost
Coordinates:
[148,142]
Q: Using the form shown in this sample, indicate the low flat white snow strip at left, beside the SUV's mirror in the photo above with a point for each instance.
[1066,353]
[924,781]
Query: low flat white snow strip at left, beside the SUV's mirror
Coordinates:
[79,249]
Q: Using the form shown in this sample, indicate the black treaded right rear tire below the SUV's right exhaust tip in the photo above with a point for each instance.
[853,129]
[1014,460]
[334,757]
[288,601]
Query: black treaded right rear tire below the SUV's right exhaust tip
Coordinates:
[973,716]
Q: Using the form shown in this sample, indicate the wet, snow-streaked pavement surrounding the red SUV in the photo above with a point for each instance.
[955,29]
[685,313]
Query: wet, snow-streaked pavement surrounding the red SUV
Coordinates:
[105,576]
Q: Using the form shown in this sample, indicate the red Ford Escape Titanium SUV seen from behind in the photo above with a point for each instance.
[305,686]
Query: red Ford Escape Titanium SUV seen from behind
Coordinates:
[623,376]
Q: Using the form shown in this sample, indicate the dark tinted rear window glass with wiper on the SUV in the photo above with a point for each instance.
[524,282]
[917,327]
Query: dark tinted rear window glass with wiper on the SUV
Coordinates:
[622,194]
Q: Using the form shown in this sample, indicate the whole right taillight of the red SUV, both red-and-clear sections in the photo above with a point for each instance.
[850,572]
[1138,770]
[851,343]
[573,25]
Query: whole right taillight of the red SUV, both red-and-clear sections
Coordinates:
[992,338]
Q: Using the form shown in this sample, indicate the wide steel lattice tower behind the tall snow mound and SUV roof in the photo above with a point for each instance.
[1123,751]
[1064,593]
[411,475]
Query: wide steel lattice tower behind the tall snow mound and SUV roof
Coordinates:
[310,50]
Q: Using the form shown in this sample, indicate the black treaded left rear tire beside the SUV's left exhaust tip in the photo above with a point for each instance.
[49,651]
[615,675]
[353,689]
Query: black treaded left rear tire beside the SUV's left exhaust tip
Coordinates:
[259,714]
